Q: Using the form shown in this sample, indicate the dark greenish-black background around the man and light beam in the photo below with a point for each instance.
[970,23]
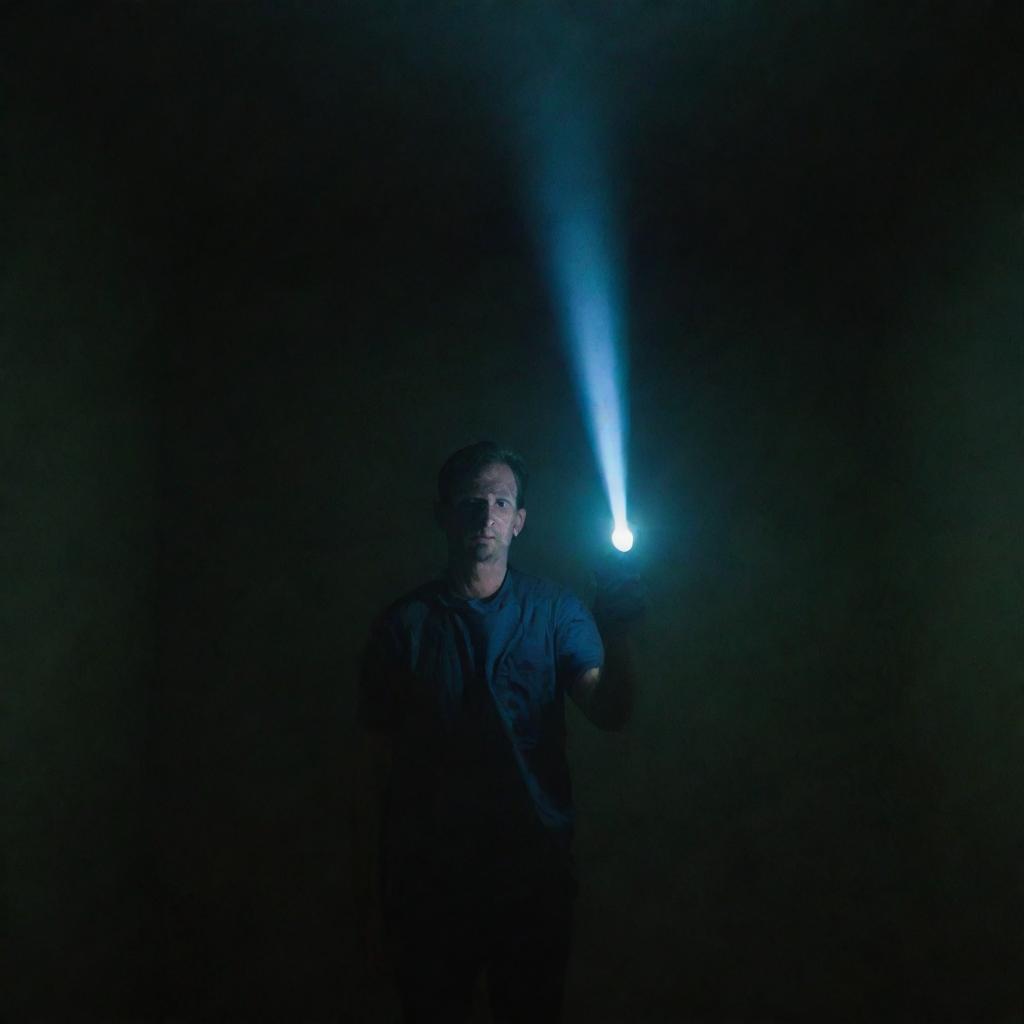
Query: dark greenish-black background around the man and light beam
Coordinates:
[266,265]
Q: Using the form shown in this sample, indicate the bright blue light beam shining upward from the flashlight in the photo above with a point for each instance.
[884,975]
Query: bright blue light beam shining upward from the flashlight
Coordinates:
[579,243]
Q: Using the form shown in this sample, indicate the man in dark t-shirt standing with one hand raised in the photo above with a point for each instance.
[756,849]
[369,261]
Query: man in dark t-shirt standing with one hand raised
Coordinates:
[464,807]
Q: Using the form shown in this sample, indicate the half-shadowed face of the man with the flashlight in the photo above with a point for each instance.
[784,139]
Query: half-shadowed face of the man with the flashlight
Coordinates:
[482,518]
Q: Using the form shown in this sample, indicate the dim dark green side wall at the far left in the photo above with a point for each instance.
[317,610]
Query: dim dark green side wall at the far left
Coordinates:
[80,589]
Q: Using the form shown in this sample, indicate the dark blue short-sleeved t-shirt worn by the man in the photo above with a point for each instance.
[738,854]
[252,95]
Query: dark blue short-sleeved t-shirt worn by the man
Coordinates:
[474,693]
